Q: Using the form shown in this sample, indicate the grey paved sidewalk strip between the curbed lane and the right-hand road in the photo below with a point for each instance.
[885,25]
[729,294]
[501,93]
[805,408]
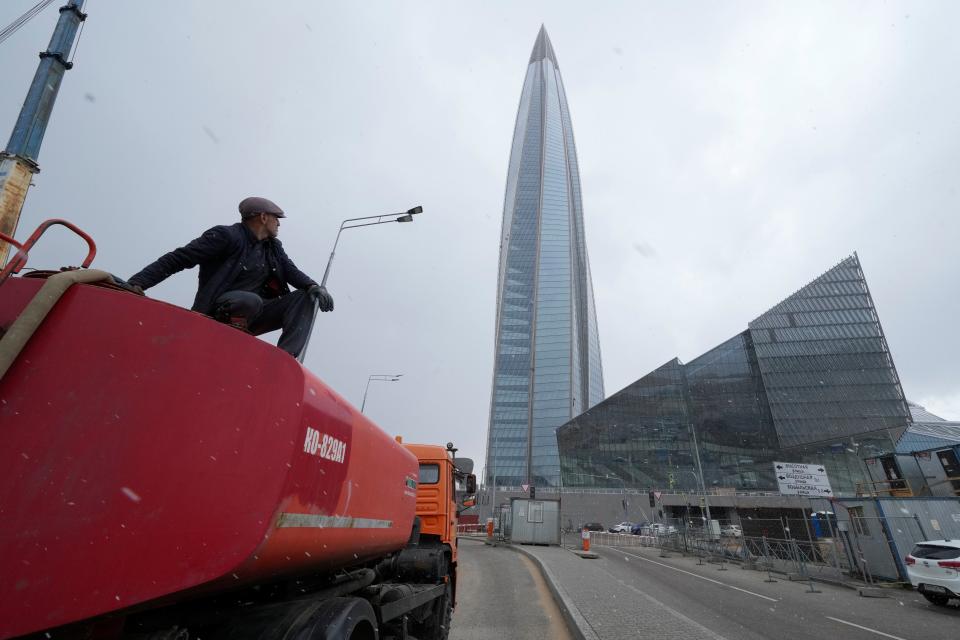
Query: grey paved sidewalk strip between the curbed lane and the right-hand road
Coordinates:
[604,610]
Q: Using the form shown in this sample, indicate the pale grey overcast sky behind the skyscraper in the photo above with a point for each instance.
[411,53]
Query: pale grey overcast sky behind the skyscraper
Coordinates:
[729,153]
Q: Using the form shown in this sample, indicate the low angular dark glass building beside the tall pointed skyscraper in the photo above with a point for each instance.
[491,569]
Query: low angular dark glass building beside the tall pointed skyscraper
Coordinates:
[811,380]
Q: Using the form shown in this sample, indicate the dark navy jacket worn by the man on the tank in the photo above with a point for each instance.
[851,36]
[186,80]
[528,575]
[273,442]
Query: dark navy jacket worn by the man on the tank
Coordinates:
[221,252]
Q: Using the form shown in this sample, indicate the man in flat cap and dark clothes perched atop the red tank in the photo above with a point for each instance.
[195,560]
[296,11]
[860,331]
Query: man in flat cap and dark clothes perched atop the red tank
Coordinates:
[245,276]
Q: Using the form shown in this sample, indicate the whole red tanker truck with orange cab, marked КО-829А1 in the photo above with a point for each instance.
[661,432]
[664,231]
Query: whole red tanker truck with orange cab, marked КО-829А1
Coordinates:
[166,477]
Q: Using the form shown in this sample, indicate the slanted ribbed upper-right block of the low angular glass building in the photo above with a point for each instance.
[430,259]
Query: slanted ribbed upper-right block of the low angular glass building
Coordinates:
[825,363]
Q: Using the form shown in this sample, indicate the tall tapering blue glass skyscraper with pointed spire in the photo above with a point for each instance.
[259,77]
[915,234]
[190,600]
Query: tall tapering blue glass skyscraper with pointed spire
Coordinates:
[547,364]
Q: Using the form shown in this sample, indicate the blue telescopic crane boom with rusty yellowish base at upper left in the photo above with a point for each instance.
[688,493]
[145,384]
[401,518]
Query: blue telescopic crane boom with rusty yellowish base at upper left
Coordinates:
[18,162]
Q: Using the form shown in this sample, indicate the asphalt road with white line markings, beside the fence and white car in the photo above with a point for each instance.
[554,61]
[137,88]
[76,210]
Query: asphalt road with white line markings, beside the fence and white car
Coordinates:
[738,604]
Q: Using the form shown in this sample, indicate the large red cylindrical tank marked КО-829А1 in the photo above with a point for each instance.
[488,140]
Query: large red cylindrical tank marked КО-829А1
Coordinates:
[151,454]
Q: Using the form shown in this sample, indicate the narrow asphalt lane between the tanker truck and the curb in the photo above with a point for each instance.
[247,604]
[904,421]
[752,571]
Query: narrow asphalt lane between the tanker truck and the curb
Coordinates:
[501,594]
